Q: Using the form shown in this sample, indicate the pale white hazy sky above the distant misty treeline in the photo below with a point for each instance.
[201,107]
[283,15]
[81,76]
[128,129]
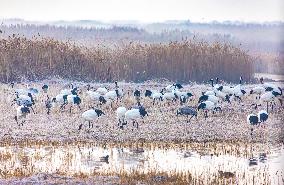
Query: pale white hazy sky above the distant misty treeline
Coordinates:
[144,10]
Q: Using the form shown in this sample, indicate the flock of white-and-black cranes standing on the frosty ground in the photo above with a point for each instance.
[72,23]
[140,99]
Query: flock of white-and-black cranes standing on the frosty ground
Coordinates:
[26,98]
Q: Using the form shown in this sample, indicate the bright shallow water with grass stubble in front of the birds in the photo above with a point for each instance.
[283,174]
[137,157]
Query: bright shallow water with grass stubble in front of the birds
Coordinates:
[202,163]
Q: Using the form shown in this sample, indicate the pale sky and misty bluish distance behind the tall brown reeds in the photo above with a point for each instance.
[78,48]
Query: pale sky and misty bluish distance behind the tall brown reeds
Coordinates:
[254,26]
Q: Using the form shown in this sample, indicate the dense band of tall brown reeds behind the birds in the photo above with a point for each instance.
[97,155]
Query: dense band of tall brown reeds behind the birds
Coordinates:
[188,60]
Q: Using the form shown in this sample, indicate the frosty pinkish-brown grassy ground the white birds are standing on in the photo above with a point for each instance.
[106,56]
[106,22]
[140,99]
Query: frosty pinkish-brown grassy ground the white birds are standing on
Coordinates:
[162,124]
